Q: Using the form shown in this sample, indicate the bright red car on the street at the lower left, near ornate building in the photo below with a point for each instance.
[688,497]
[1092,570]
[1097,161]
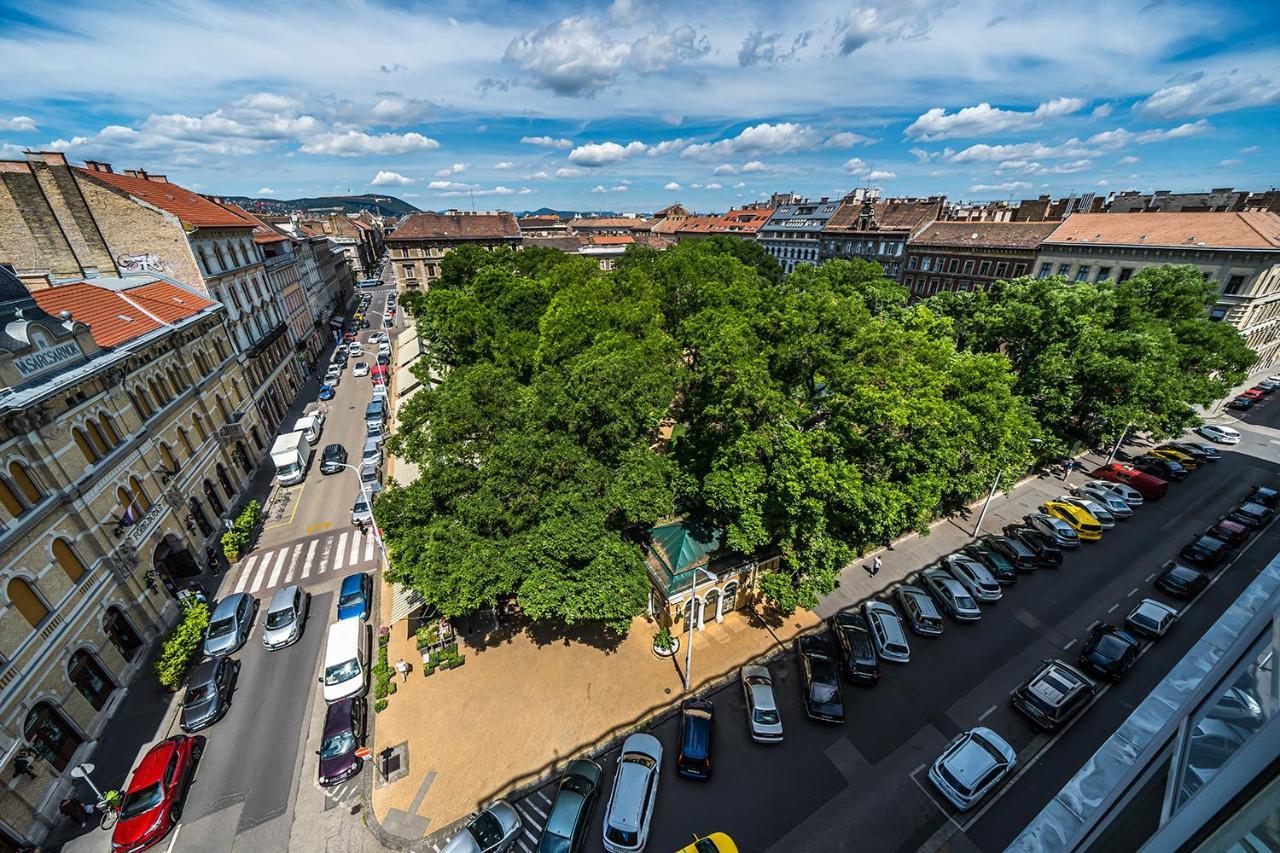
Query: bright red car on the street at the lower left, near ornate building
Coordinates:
[153,801]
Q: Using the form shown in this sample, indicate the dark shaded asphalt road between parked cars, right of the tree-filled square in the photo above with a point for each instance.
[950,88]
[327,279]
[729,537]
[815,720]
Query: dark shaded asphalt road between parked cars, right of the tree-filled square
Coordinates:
[863,786]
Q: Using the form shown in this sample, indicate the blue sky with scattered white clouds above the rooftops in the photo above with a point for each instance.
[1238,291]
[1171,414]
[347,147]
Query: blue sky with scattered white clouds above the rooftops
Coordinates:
[633,106]
